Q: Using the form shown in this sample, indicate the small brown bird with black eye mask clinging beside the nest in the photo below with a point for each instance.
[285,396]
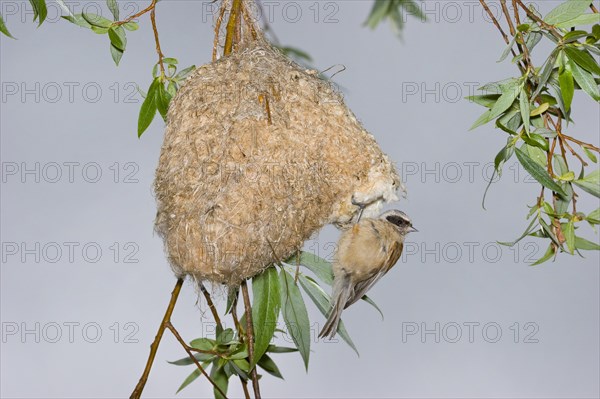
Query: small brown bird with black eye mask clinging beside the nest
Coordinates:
[365,253]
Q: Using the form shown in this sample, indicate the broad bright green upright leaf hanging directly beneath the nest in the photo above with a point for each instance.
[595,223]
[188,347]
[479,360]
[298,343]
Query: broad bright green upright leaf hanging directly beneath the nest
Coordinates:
[266,303]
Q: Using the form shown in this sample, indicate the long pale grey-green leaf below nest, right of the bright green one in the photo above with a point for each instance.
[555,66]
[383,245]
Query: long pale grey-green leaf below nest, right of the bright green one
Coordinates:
[295,315]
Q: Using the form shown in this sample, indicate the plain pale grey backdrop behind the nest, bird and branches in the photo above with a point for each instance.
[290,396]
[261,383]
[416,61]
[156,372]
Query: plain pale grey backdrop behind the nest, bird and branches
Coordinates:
[452,273]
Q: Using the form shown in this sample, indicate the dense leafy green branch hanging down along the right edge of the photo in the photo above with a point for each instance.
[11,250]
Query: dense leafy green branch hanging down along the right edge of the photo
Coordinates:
[533,107]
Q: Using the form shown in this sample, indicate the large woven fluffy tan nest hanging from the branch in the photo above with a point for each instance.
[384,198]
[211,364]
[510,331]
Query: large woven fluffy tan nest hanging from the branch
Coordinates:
[258,155]
